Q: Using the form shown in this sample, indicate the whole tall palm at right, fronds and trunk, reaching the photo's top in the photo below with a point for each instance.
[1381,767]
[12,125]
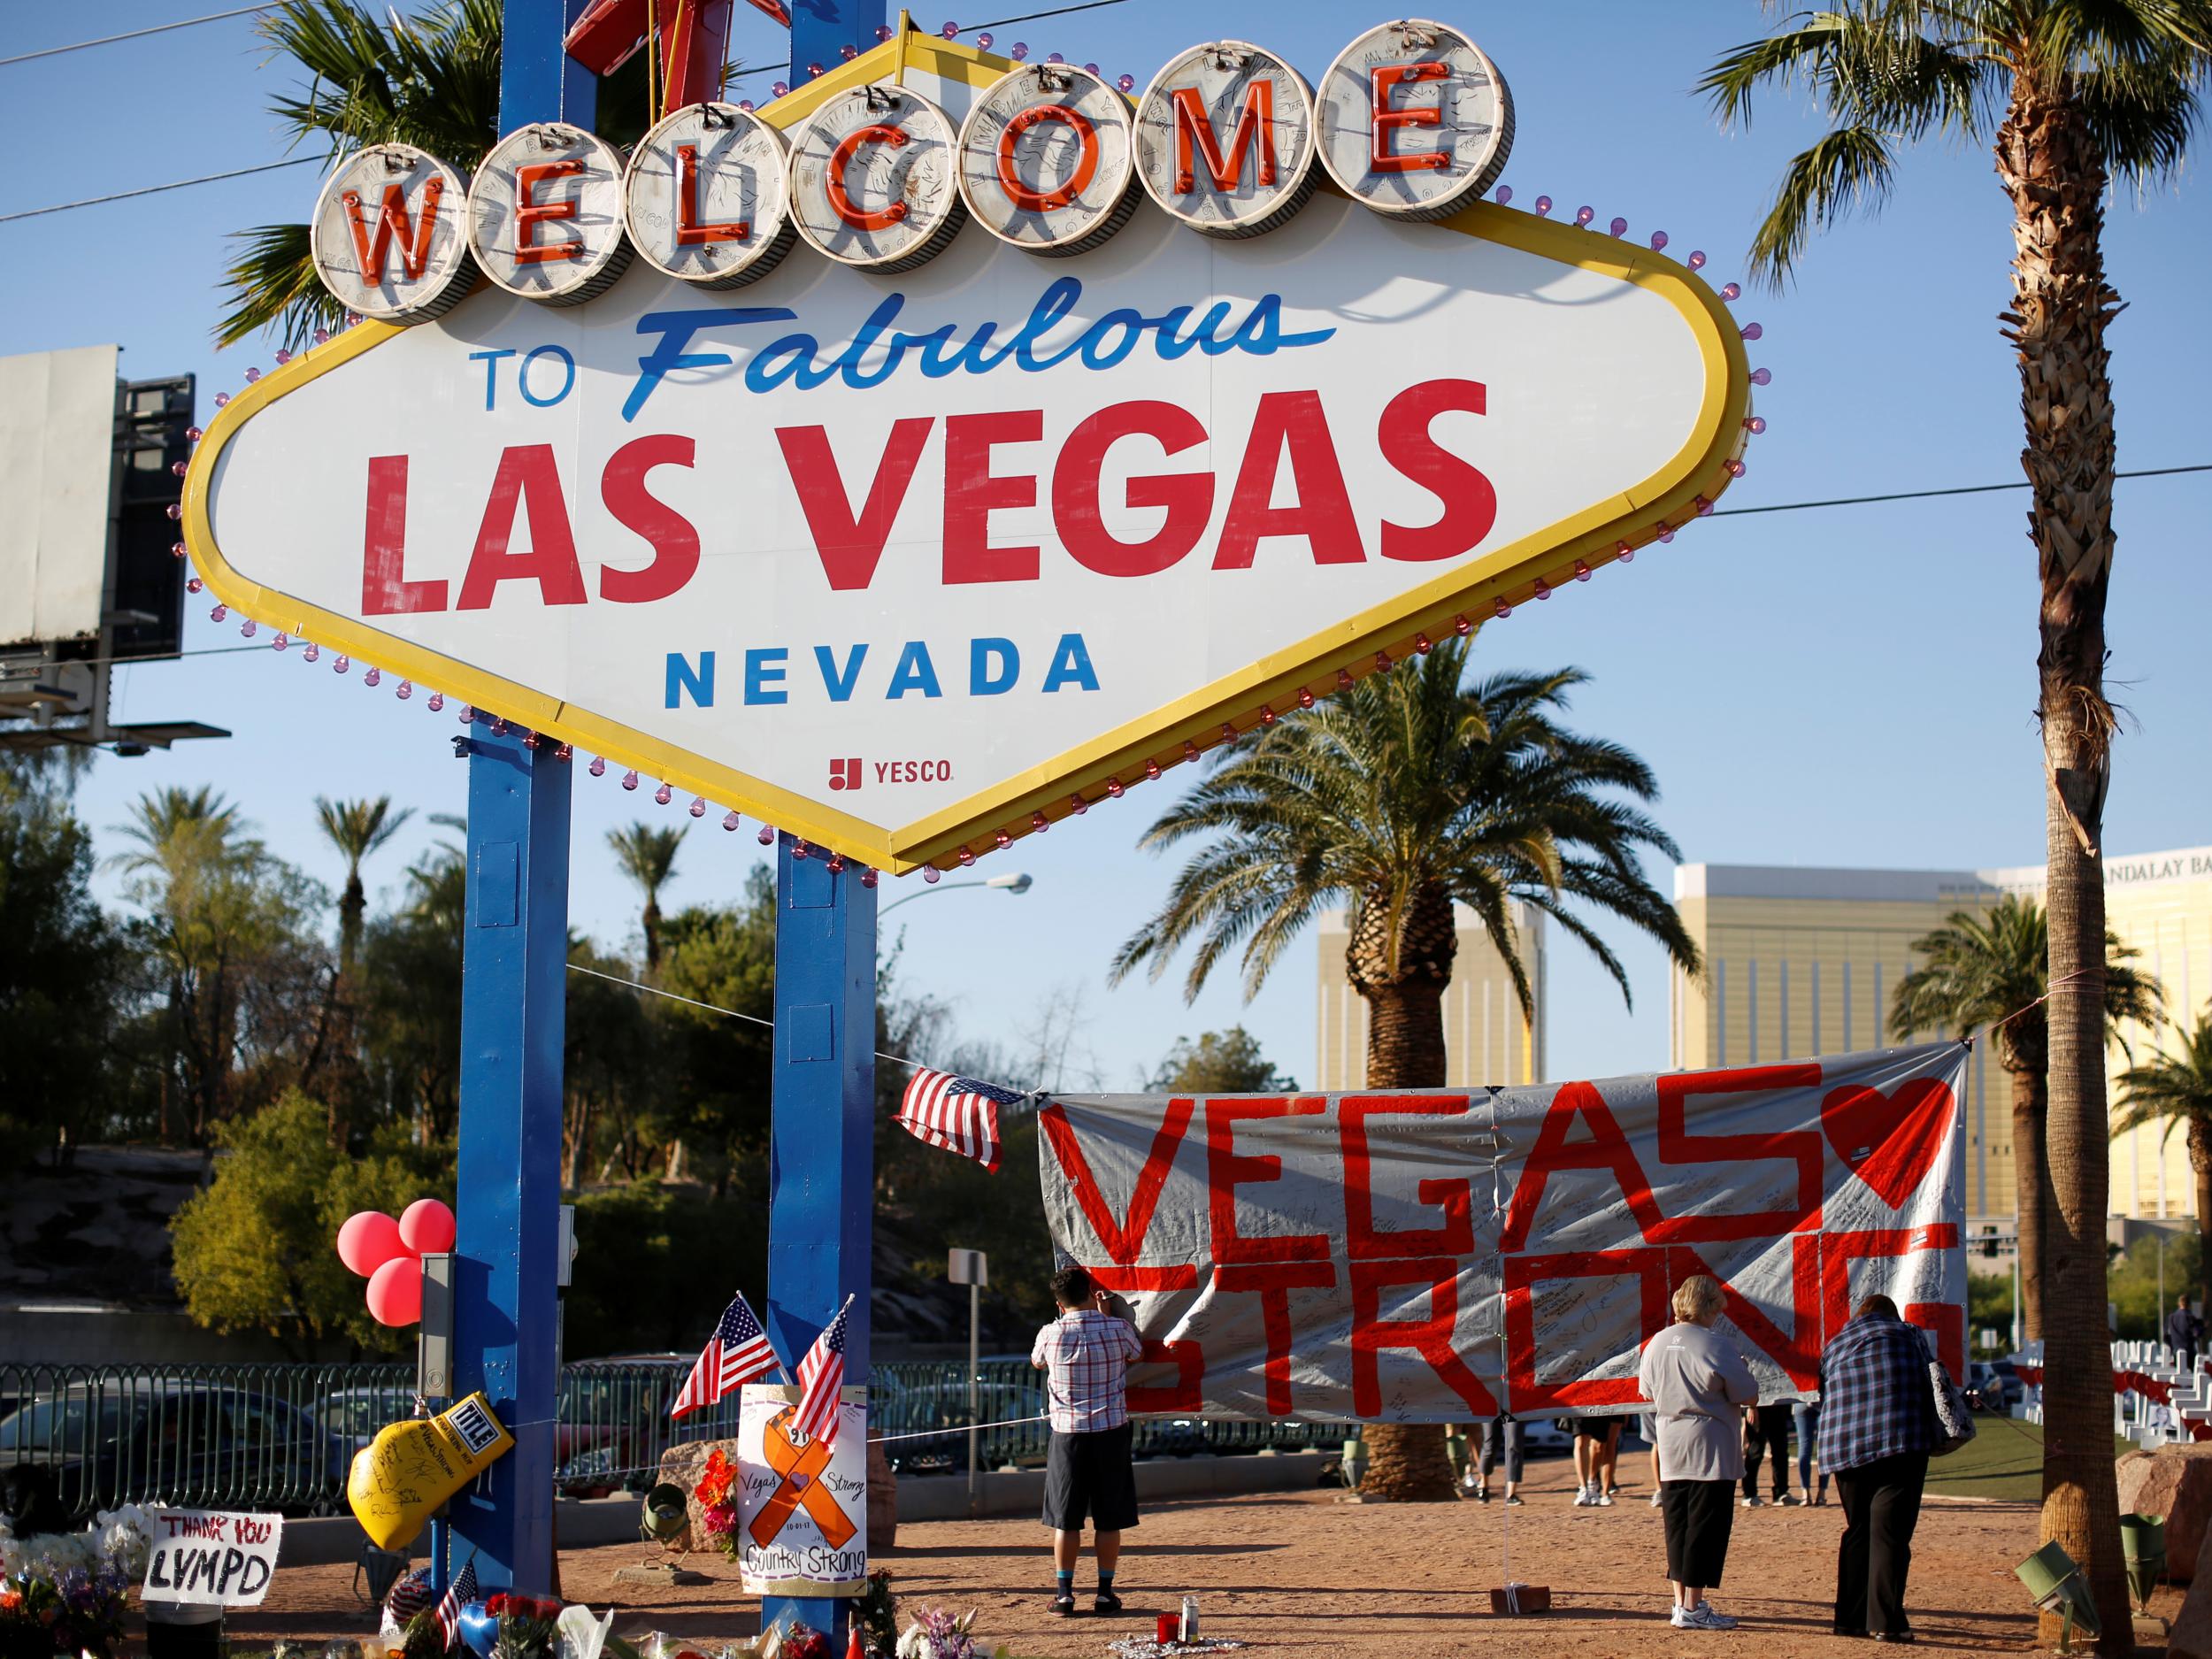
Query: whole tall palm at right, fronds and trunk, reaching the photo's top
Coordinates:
[2069,94]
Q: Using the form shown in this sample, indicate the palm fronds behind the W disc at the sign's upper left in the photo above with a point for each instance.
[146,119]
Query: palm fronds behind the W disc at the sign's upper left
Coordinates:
[428,81]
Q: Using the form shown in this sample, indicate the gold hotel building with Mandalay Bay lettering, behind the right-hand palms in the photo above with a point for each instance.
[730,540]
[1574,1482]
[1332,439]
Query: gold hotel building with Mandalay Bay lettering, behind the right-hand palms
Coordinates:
[1804,961]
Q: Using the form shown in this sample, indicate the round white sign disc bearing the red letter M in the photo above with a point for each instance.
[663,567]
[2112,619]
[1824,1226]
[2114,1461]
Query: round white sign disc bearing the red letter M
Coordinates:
[1227,140]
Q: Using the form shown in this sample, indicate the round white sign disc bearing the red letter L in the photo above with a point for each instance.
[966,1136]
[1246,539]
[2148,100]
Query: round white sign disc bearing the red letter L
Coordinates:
[705,198]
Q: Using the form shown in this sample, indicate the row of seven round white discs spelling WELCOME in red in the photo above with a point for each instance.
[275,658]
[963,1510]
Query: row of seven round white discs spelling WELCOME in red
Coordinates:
[1229,140]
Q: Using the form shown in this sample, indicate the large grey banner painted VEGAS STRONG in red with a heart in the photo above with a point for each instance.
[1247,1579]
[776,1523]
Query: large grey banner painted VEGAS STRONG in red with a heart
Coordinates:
[1432,1258]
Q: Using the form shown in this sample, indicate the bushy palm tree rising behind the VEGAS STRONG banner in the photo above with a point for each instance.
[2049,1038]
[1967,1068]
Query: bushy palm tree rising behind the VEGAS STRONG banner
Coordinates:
[1406,795]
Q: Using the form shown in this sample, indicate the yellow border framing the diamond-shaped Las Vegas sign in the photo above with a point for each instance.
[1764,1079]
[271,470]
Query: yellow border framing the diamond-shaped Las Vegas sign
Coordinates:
[1468,594]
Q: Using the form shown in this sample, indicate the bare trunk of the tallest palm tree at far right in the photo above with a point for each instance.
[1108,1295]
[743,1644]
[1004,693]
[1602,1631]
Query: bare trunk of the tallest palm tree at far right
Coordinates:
[2054,176]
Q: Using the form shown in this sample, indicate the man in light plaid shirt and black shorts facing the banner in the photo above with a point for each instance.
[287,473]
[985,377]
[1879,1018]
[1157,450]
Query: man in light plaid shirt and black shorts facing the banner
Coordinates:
[1089,1470]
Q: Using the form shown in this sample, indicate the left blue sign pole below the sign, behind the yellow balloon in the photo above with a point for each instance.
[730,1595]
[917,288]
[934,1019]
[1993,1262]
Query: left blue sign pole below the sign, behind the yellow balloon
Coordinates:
[512,1019]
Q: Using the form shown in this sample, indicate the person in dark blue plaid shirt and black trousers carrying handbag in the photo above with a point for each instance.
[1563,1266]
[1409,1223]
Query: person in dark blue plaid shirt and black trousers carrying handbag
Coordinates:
[1877,1432]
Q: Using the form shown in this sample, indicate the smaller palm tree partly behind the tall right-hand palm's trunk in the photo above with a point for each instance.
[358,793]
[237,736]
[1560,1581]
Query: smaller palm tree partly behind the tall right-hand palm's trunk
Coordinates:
[1994,970]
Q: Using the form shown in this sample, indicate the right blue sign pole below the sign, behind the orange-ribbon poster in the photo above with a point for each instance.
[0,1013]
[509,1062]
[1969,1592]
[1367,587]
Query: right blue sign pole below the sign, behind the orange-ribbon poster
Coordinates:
[822,1158]
